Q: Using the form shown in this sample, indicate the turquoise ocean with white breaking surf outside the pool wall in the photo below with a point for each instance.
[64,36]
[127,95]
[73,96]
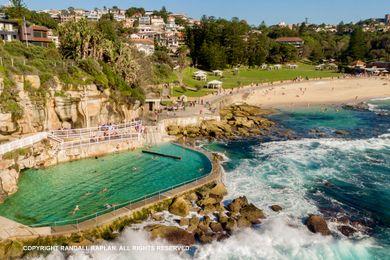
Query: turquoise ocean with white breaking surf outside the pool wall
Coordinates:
[336,163]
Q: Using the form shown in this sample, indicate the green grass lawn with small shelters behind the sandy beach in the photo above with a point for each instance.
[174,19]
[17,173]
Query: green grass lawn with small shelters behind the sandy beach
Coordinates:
[248,76]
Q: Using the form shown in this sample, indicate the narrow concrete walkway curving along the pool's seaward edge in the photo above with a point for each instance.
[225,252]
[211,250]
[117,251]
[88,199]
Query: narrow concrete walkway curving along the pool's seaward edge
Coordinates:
[11,229]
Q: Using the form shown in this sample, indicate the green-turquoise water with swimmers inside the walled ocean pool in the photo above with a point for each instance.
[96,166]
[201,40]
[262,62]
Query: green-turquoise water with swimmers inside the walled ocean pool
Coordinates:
[51,195]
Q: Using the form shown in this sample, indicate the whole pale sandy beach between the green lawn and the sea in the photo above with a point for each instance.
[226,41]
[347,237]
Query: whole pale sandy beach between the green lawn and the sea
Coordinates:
[291,94]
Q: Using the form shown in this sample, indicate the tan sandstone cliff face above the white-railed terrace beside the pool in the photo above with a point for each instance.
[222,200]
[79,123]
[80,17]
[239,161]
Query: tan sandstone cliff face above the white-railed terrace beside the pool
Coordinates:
[61,106]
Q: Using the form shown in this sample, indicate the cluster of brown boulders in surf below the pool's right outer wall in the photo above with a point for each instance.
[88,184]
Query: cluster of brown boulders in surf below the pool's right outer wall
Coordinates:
[203,218]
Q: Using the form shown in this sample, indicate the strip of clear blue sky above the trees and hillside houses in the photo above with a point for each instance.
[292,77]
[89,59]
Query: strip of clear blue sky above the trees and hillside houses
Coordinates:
[254,11]
